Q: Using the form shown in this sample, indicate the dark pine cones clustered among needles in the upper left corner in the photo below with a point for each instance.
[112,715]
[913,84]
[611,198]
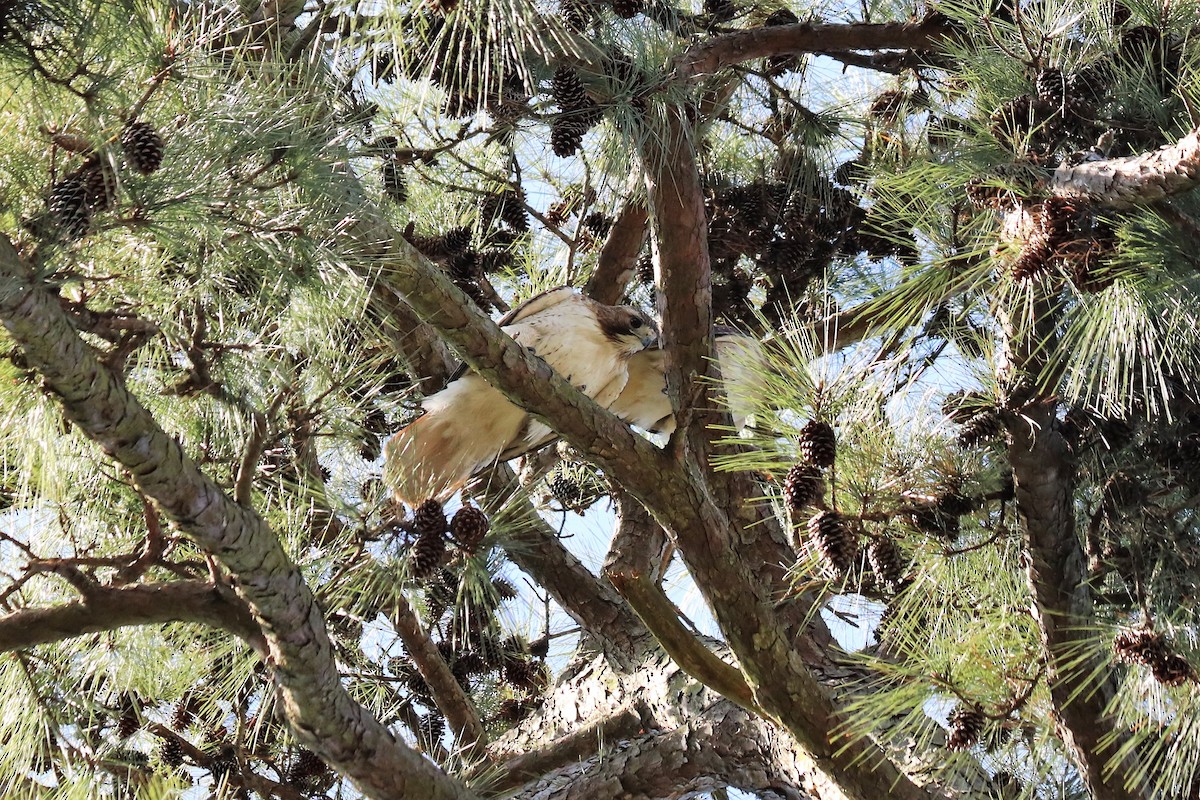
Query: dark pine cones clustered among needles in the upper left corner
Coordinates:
[92,188]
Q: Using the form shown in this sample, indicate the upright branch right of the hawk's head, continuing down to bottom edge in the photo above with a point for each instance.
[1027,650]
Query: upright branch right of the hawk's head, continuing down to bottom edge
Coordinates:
[707,516]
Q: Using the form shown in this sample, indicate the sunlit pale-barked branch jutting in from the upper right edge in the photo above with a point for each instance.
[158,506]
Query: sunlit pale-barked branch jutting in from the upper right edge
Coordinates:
[1136,181]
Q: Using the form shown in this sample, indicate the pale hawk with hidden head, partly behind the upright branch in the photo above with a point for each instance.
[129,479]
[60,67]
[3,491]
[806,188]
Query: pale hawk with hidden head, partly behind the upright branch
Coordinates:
[644,402]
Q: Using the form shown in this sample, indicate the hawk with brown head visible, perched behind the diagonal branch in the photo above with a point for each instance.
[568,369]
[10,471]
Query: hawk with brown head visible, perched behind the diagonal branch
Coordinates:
[470,425]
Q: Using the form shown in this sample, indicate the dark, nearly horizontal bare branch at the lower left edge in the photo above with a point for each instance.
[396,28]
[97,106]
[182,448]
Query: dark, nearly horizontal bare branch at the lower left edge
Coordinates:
[146,604]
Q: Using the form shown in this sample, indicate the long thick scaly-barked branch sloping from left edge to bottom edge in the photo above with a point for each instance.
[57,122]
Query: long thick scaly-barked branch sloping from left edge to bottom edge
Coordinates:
[323,717]
